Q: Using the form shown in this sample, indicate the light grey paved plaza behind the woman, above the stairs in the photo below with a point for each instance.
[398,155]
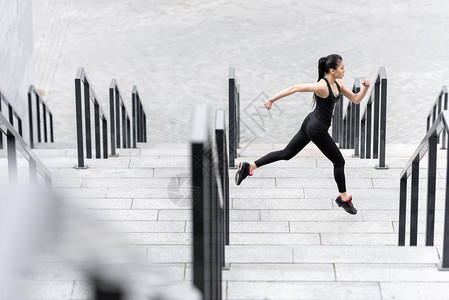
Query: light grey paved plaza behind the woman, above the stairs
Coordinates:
[179,53]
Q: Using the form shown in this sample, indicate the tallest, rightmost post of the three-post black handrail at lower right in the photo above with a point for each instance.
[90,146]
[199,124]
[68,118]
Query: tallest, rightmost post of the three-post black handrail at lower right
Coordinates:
[431,189]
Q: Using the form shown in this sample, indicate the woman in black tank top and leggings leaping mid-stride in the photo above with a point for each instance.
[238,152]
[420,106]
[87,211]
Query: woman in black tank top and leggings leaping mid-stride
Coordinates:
[327,92]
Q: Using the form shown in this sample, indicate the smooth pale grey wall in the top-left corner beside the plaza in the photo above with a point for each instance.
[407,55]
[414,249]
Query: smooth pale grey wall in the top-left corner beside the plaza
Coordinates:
[16,53]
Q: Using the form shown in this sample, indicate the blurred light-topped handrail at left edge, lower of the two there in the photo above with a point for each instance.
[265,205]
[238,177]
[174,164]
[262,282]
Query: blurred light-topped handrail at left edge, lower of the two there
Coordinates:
[15,141]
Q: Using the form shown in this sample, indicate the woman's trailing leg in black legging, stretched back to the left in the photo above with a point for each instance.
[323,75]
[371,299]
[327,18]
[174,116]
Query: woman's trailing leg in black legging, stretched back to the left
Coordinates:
[298,142]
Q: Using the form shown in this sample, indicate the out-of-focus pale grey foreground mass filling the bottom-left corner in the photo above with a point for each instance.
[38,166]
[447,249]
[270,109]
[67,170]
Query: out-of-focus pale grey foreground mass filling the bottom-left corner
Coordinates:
[33,220]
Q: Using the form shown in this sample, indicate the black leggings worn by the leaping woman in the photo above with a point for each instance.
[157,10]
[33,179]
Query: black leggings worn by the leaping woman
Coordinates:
[315,131]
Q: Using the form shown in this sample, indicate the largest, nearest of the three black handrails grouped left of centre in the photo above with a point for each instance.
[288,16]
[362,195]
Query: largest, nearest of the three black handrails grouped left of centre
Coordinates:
[89,96]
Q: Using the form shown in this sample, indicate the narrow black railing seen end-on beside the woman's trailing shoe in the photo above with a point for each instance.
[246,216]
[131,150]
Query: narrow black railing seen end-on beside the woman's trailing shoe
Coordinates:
[234,117]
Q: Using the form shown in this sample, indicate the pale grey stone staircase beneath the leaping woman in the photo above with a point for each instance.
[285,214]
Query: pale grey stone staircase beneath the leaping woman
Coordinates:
[289,240]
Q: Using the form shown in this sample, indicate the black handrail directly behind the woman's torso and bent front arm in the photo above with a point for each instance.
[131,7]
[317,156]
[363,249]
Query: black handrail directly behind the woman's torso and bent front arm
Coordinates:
[346,130]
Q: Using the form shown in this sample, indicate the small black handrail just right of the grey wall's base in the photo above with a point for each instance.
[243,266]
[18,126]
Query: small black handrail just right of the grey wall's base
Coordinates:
[40,121]
